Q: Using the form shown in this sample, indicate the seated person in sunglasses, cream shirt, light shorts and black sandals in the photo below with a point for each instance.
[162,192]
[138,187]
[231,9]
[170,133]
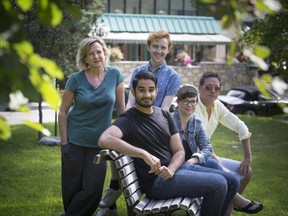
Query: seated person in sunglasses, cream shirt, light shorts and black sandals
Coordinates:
[212,112]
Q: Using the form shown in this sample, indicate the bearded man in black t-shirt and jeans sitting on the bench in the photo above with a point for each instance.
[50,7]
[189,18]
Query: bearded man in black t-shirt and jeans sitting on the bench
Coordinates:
[150,136]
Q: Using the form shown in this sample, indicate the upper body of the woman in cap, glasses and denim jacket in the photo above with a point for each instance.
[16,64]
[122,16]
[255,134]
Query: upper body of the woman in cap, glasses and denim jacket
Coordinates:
[198,149]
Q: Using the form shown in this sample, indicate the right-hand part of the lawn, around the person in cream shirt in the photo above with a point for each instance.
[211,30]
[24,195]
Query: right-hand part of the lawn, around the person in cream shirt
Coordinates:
[269,165]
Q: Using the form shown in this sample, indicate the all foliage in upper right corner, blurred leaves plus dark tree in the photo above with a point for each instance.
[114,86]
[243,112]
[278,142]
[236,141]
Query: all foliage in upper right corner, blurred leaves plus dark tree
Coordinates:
[267,35]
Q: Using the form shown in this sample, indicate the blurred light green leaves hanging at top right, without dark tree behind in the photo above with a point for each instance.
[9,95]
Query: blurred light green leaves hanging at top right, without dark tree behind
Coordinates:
[234,14]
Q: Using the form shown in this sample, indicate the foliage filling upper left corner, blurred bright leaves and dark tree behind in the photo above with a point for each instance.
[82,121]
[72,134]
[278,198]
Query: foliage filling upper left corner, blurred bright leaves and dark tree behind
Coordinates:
[25,67]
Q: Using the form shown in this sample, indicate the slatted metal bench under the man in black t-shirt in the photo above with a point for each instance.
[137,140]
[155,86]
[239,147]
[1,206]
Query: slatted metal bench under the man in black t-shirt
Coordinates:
[136,201]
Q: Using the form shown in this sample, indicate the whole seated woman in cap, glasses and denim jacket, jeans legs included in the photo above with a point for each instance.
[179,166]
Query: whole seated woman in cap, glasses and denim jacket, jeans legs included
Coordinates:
[197,146]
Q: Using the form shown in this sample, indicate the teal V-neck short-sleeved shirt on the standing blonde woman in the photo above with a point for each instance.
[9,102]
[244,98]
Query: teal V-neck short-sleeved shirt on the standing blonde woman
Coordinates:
[92,110]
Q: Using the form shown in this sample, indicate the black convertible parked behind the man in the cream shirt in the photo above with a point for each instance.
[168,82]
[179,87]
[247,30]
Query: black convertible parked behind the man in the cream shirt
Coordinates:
[248,100]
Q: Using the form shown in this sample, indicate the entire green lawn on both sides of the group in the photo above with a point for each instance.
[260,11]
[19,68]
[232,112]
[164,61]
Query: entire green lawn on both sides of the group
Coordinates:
[30,173]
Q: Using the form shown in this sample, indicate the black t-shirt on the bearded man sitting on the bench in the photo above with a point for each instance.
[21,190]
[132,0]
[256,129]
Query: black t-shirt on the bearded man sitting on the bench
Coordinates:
[151,132]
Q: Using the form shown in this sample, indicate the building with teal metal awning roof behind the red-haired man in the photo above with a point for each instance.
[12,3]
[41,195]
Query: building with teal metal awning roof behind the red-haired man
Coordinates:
[127,24]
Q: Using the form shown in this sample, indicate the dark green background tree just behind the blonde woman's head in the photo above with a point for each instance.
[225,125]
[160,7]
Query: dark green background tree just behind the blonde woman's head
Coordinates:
[60,43]
